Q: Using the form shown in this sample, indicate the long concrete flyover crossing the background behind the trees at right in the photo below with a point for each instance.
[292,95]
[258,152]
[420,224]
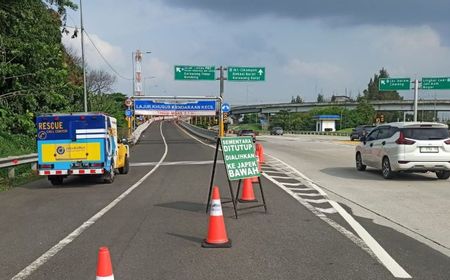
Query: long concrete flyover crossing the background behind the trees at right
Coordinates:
[383,106]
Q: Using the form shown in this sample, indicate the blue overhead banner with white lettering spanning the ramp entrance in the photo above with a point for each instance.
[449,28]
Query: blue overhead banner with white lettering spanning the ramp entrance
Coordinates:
[195,108]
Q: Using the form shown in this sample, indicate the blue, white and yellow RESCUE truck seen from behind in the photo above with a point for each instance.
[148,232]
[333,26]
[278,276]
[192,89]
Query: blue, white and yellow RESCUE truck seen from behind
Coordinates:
[80,144]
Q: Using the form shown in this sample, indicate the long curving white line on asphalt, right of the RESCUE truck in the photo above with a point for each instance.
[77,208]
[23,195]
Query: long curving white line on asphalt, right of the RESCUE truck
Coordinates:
[77,232]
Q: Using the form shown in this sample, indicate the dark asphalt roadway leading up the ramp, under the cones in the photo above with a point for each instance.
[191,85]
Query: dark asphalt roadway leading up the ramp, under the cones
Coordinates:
[156,230]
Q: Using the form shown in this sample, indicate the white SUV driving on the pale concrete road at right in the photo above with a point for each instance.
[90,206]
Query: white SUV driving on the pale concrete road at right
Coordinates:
[407,147]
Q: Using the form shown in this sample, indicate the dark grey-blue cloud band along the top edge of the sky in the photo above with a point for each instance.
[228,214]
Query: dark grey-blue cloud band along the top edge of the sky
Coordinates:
[377,12]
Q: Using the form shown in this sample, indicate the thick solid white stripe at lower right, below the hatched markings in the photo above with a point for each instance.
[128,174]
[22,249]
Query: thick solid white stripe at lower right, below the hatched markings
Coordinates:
[376,248]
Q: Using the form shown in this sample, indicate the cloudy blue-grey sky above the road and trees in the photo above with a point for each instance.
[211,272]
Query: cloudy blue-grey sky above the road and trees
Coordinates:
[307,47]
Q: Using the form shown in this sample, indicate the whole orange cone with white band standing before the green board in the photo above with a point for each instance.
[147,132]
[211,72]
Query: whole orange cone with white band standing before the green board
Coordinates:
[217,234]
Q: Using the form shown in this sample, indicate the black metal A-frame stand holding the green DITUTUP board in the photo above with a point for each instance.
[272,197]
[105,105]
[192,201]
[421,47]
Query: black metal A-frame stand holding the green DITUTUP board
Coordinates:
[234,199]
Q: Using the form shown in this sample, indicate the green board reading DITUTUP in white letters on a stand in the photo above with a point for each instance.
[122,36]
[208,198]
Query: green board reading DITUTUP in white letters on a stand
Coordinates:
[239,157]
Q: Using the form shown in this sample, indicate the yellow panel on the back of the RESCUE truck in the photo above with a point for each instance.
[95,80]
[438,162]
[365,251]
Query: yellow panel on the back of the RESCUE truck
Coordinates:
[70,152]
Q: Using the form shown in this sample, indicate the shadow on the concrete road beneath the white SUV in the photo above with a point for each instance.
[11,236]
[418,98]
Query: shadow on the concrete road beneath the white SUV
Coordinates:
[373,174]
